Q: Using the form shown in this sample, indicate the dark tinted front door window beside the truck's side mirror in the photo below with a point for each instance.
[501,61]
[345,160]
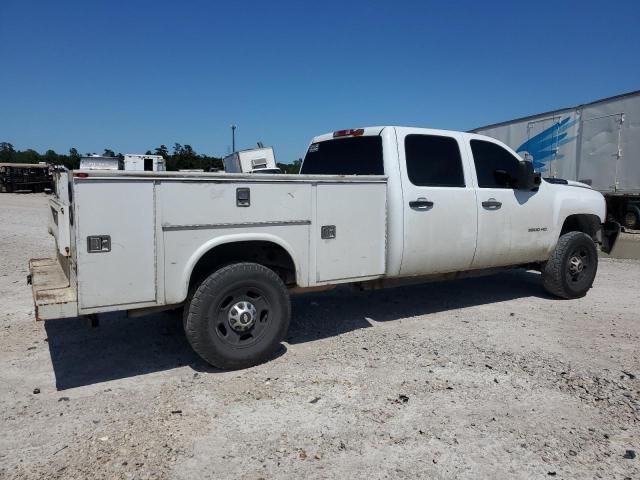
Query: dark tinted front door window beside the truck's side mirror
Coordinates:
[495,166]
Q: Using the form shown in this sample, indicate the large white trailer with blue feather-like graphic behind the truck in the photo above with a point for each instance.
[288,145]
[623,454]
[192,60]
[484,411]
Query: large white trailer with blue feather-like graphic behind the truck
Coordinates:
[597,143]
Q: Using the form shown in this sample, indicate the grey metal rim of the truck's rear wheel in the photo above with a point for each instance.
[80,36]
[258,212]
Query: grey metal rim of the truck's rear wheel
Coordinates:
[241,317]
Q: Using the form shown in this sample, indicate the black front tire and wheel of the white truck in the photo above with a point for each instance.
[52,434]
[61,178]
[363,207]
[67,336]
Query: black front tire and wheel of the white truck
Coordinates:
[572,266]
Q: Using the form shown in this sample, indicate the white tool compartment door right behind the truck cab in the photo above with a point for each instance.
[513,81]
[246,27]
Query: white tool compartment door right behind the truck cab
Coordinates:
[350,230]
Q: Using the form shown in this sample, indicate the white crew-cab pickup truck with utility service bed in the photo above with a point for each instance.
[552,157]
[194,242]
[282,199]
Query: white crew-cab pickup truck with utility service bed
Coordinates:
[373,206]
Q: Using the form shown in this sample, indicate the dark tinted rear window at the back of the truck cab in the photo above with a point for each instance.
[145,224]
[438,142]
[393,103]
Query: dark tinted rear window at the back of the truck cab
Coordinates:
[345,156]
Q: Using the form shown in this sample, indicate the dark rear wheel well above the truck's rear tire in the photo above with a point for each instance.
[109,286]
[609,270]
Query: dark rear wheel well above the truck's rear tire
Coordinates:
[265,253]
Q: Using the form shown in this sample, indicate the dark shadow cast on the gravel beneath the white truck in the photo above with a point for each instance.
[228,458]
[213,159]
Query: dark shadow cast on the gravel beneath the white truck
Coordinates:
[126,347]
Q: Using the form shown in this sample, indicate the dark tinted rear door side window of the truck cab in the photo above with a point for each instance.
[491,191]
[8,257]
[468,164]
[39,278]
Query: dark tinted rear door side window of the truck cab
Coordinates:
[433,161]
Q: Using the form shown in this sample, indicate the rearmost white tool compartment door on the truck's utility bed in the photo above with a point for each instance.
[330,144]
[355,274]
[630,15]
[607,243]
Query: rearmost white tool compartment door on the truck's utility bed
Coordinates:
[122,215]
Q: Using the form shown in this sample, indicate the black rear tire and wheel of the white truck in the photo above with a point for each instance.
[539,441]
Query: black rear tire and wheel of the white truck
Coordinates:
[238,316]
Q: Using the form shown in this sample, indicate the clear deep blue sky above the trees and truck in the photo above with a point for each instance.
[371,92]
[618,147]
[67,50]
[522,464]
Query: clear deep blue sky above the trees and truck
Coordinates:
[130,75]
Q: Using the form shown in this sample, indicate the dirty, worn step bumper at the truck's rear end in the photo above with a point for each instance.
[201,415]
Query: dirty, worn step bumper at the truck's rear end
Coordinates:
[53,296]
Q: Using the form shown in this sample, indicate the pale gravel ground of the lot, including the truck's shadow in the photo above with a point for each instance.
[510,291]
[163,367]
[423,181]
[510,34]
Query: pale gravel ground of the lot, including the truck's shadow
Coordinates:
[479,378]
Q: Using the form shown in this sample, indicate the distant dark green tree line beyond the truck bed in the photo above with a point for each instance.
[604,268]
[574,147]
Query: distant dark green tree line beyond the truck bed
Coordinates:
[181,157]
